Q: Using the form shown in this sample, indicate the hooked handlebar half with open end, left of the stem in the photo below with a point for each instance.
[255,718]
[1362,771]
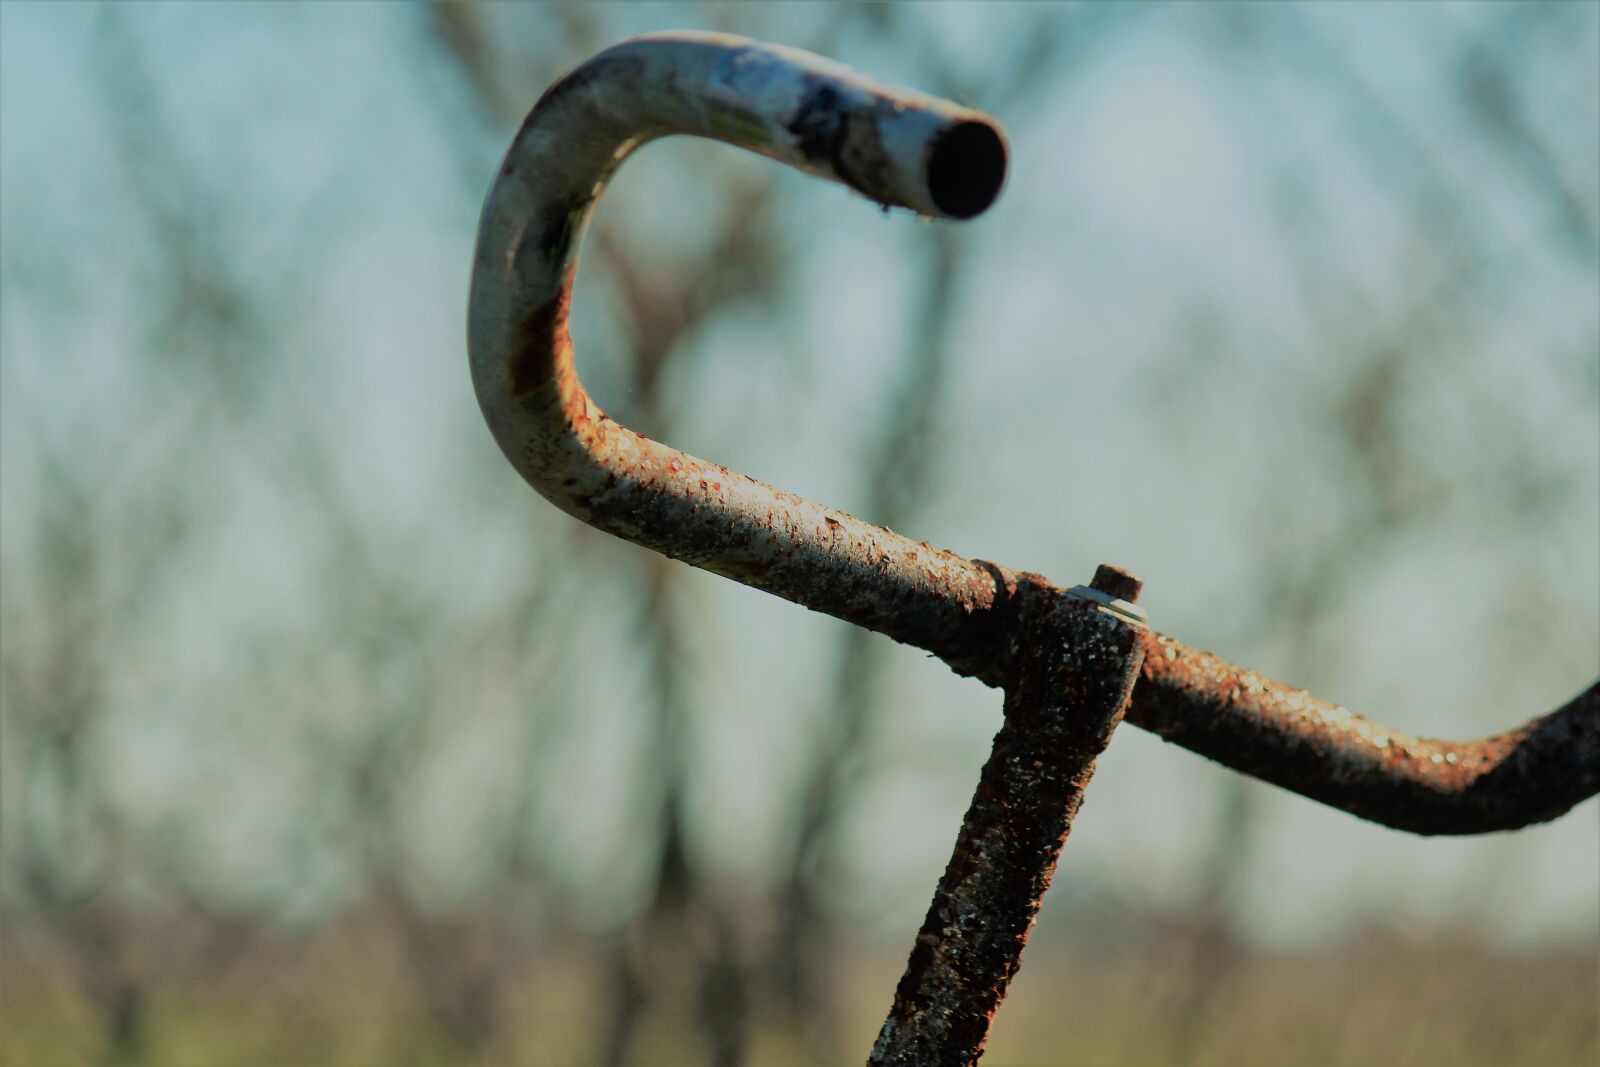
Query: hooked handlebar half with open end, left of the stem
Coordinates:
[895,146]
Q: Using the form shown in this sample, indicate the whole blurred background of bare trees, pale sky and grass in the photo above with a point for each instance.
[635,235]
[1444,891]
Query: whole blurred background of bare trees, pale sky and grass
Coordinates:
[327,741]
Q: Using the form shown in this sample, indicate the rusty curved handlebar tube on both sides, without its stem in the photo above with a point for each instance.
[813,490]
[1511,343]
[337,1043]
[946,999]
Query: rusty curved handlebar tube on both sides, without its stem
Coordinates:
[903,150]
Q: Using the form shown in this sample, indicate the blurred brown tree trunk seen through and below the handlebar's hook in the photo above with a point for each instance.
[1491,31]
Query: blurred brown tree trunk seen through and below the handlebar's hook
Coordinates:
[665,298]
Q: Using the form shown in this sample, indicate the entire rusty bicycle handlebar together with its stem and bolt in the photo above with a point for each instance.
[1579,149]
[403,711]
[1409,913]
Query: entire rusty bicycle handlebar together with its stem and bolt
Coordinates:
[1071,668]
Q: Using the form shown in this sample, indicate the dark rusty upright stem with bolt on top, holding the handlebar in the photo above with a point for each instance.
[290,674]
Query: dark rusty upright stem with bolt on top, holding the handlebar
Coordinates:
[1076,663]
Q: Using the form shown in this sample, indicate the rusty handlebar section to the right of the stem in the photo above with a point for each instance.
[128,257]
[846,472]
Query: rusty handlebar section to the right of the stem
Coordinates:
[1329,753]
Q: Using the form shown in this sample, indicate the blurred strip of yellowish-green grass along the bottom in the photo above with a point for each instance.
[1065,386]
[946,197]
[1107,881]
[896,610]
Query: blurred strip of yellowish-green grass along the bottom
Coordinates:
[343,996]
